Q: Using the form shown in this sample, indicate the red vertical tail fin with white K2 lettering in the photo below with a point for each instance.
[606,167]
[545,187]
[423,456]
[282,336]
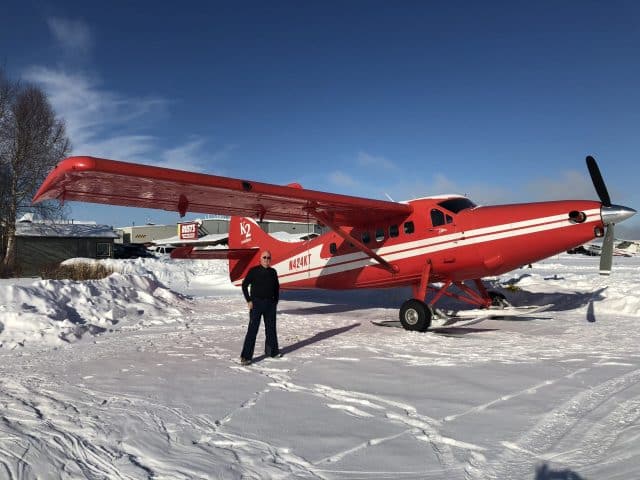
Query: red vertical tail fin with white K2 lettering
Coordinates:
[245,233]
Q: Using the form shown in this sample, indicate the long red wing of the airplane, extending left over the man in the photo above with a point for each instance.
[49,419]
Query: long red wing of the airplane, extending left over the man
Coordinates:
[97,180]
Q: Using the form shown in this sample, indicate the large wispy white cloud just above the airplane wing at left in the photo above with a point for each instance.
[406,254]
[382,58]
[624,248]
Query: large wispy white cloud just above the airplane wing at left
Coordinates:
[95,119]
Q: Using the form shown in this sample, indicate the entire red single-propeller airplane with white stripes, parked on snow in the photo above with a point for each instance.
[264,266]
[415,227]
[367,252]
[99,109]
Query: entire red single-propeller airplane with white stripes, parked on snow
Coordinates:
[445,240]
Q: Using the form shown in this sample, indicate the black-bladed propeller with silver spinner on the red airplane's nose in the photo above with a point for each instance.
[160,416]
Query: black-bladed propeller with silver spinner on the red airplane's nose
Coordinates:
[611,214]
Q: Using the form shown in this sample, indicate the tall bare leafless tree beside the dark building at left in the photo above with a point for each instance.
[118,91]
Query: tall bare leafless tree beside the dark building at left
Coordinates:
[32,142]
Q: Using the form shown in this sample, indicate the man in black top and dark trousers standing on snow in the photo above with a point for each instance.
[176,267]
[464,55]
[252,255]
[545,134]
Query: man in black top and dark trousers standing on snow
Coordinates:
[262,302]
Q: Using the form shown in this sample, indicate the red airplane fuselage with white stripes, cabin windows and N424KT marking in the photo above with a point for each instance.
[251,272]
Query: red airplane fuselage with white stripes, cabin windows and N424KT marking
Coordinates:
[472,243]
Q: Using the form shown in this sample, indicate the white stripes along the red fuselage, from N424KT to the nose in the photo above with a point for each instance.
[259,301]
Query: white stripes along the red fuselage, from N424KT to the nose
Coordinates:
[315,266]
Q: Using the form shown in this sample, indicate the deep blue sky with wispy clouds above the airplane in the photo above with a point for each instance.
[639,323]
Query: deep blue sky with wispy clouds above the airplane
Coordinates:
[498,100]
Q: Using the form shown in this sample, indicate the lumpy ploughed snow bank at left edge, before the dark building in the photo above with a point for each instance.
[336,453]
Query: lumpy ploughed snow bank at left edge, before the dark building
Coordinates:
[50,312]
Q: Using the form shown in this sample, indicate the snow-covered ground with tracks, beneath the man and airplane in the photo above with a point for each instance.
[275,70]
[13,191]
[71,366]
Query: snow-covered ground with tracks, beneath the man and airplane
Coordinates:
[137,376]
